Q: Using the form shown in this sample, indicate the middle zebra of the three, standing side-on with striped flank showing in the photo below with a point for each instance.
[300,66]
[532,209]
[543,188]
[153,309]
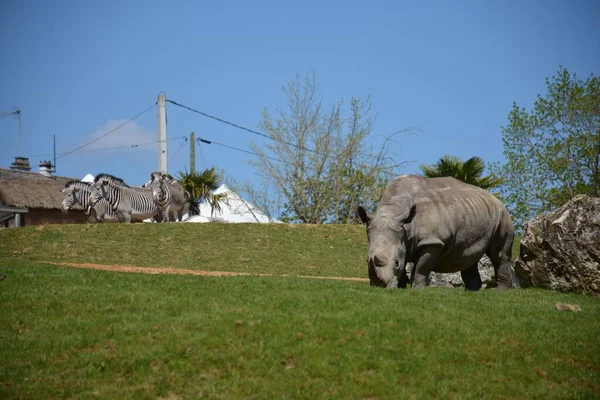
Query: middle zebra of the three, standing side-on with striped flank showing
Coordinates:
[126,202]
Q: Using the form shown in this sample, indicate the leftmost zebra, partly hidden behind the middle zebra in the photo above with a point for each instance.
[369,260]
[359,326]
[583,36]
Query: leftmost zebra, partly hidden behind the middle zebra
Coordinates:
[77,192]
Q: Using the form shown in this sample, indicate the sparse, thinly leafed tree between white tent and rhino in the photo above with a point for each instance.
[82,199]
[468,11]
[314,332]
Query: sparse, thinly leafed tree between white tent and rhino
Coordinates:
[318,161]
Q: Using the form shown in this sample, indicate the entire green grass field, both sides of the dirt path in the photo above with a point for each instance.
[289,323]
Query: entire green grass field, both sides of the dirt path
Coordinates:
[75,333]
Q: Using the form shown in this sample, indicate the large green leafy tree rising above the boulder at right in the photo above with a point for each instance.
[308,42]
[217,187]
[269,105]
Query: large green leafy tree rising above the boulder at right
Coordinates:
[553,151]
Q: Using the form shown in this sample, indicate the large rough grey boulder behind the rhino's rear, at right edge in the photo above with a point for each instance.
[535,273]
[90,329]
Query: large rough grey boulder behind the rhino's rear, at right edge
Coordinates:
[561,250]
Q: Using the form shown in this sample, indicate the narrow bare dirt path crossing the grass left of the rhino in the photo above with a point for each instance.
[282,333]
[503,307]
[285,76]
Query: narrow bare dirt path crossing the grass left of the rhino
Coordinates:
[178,271]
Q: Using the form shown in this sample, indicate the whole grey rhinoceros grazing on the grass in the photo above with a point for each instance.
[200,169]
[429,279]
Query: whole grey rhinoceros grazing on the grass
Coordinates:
[438,224]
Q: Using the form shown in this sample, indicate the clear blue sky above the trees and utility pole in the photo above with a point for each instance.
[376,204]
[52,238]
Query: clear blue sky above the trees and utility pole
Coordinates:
[450,68]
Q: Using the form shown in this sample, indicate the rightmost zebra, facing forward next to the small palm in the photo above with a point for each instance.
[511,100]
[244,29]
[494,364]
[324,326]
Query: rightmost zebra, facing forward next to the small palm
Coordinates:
[169,195]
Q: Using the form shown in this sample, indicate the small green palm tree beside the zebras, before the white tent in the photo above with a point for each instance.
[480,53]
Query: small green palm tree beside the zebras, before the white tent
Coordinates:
[201,186]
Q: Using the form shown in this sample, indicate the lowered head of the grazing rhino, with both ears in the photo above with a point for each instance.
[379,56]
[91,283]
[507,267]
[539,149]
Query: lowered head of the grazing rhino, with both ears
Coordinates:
[387,244]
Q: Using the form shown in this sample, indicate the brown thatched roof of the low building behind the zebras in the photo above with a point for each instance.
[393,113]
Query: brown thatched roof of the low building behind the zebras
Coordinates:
[31,190]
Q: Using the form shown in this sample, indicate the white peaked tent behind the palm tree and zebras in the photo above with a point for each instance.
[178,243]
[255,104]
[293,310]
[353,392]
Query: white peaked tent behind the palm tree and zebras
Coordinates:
[233,209]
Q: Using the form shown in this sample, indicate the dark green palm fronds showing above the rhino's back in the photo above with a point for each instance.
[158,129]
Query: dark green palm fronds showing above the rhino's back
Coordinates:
[469,171]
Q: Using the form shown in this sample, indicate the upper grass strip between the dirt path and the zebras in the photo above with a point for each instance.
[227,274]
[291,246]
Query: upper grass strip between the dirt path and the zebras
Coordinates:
[306,250]
